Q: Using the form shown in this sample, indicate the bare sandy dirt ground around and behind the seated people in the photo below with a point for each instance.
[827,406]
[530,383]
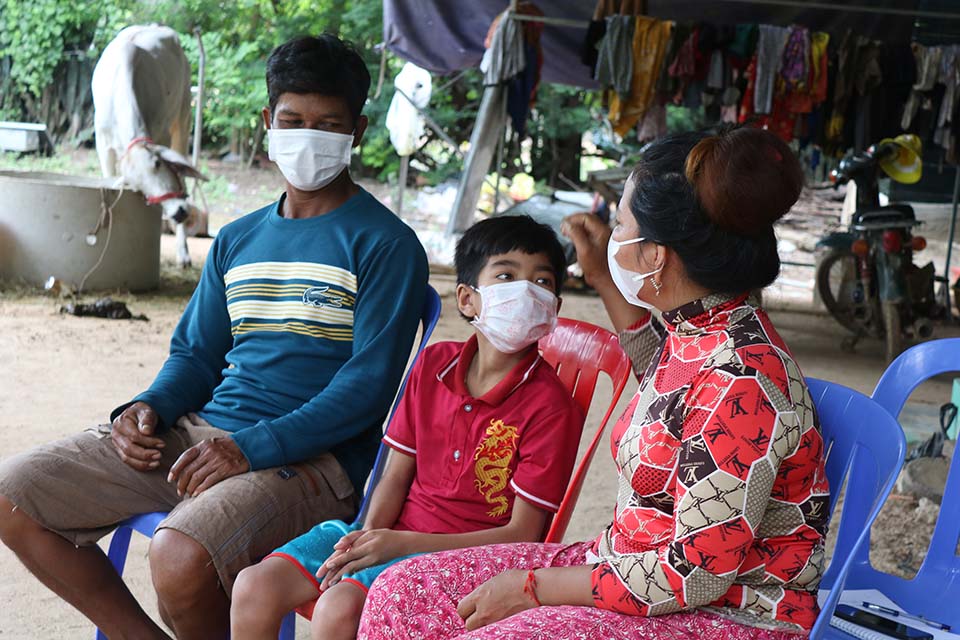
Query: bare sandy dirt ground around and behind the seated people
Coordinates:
[60,373]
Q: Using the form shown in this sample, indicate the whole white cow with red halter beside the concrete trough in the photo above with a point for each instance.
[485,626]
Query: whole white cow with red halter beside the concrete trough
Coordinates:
[141,97]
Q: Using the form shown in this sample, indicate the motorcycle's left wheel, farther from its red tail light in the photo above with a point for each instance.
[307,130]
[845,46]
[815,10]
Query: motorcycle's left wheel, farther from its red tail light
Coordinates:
[836,283]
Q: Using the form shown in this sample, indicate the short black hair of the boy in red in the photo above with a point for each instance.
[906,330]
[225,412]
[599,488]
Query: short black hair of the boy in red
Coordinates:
[496,236]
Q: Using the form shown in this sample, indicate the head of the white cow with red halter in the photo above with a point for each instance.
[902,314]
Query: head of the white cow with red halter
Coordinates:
[158,172]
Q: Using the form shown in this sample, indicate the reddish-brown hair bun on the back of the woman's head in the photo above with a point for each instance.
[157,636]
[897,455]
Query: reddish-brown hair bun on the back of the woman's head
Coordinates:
[745,179]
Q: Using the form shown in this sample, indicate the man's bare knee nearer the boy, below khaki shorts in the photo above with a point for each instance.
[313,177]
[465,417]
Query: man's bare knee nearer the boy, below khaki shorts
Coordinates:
[182,570]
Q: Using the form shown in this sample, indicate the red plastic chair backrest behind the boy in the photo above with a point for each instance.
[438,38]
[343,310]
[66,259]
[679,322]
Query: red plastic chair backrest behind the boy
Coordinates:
[579,351]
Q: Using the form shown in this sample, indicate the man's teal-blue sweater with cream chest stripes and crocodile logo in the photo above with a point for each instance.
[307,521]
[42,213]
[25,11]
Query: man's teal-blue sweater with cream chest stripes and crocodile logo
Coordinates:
[298,333]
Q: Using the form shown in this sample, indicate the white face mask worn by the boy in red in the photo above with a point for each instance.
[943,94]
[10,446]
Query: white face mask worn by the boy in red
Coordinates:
[514,315]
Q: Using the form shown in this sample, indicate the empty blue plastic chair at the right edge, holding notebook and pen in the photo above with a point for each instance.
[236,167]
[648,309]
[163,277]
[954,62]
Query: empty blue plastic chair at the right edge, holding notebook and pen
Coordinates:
[935,591]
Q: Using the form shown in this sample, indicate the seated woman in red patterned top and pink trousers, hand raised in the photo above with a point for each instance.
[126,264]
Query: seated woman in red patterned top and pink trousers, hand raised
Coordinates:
[721,508]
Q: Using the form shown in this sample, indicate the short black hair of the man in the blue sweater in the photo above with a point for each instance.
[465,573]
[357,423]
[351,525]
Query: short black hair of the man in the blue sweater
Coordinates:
[322,64]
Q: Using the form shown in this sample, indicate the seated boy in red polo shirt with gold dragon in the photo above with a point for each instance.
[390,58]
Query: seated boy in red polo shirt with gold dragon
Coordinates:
[481,423]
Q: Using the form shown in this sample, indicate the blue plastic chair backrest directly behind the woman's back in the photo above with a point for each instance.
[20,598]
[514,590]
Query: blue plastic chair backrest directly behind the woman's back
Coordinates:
[865,446]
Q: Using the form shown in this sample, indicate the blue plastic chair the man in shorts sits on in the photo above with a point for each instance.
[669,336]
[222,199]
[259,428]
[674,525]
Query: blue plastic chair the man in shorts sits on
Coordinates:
[147,523]
